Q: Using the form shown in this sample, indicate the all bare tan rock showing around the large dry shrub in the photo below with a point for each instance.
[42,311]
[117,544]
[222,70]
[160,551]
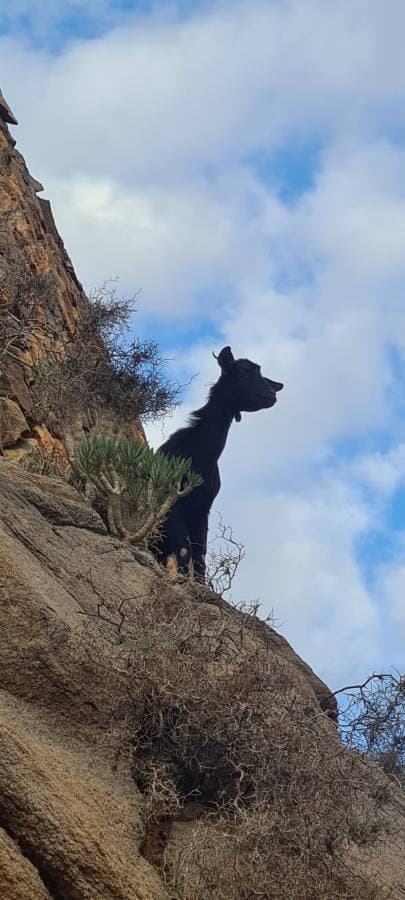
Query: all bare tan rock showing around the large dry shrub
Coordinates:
[72,821]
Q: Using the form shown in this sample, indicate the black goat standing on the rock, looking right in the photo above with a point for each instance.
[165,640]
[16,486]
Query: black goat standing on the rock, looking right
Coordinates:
[240,388]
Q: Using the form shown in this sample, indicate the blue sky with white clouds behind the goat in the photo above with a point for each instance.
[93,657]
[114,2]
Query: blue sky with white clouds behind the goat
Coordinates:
[242,162]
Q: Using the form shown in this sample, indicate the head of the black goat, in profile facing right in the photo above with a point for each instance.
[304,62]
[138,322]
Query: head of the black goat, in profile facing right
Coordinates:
[244,386]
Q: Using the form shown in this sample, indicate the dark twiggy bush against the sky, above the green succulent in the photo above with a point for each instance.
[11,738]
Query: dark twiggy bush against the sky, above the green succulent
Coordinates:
[102,368]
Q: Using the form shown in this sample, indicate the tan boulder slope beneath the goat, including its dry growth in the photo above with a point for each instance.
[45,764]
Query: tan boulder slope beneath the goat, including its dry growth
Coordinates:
[89,642]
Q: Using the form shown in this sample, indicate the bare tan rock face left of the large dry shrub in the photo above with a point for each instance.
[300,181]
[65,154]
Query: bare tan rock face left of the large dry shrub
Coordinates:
[70,816]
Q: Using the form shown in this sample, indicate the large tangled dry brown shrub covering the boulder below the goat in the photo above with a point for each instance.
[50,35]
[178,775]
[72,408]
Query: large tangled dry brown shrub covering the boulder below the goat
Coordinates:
[222,728]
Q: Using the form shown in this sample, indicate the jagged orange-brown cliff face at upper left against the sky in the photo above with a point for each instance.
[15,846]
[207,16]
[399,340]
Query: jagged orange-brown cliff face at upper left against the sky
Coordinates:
[34,269]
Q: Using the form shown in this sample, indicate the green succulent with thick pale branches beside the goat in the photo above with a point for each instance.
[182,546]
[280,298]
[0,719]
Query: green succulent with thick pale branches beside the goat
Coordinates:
[139,485]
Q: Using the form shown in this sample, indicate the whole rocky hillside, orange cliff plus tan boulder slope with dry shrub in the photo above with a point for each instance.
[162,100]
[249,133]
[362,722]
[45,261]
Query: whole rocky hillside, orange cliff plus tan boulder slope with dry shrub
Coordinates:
[155,741]
